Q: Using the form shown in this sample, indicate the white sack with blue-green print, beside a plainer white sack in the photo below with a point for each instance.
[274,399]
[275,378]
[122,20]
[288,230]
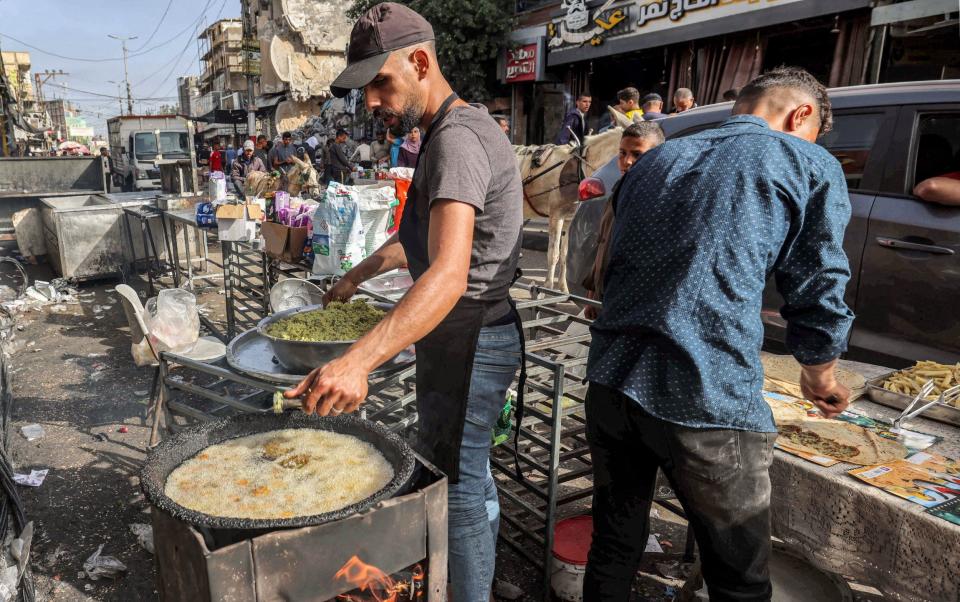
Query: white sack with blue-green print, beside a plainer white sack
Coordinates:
[338,236]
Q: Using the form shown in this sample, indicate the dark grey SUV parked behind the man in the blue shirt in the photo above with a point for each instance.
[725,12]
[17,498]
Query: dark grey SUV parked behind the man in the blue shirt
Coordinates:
[904,253]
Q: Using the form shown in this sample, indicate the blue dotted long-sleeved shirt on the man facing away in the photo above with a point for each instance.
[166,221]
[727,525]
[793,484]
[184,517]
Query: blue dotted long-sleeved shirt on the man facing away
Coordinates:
[701,223]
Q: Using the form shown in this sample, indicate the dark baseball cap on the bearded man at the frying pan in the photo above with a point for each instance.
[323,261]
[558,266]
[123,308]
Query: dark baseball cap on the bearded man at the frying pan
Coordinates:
[386,27]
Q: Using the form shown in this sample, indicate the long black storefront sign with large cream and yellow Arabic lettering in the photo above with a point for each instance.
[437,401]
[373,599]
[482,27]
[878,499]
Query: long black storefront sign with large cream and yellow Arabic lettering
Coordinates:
[579,25]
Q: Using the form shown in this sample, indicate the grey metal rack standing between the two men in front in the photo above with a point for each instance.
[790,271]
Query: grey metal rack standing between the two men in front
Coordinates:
[552,447]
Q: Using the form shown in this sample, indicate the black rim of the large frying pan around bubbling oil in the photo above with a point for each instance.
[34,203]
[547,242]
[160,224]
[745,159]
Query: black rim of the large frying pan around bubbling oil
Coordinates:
[184,445]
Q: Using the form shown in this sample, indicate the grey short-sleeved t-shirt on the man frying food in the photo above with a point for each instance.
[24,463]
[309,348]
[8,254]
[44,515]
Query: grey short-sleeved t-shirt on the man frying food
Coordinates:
[470,160]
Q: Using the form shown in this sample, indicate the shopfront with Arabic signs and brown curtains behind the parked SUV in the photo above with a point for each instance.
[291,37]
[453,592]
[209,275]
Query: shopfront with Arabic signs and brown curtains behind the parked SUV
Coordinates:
[563,49]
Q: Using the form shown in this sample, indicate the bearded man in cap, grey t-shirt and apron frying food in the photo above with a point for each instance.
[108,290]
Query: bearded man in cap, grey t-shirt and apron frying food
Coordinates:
[460,237]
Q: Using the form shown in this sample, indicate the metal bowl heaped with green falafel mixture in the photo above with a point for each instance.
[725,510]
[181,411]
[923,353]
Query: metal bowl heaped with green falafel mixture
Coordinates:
[280,349]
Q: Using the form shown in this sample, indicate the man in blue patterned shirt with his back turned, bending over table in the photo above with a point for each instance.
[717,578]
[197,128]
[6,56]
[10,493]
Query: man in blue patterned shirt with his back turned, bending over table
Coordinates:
[674,369]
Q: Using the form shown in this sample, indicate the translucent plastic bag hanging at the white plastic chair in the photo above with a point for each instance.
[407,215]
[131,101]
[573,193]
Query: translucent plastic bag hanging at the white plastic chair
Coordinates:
[172,320]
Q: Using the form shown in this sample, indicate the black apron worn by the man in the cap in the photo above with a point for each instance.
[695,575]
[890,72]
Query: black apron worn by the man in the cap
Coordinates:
[445,355]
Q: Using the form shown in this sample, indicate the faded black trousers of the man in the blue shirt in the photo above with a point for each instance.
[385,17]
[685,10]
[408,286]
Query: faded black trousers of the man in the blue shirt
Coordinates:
[720,476]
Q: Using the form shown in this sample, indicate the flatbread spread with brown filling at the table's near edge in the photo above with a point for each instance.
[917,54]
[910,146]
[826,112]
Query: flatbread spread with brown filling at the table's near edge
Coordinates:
[840,440]
